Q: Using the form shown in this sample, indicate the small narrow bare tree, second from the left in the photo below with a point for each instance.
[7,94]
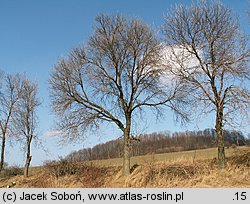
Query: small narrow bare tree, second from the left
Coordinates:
[25,119]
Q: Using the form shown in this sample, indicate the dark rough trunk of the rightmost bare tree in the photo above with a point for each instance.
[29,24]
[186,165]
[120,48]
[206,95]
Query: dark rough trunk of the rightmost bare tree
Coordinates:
[220,138]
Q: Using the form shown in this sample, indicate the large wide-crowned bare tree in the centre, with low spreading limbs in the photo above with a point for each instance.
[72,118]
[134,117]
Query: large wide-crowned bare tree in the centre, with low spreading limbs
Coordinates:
[112,79]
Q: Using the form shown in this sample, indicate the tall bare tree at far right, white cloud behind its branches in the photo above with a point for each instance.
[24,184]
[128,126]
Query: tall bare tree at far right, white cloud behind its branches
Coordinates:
[207,51]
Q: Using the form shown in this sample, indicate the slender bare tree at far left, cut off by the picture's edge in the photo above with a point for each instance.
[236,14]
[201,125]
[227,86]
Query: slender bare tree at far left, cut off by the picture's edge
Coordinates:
[10,93]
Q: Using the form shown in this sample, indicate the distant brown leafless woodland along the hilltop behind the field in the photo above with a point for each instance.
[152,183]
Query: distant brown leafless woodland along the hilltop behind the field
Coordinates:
[156,143]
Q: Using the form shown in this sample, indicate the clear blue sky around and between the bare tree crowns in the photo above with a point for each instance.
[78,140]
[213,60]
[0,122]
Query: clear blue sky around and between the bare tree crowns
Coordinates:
[34,34]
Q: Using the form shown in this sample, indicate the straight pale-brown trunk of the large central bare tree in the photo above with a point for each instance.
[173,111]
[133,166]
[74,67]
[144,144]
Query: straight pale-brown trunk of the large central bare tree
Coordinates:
[126,156]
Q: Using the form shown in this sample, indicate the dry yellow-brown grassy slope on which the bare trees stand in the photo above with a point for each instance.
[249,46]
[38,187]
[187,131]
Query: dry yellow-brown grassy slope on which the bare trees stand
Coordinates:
[180,169]
